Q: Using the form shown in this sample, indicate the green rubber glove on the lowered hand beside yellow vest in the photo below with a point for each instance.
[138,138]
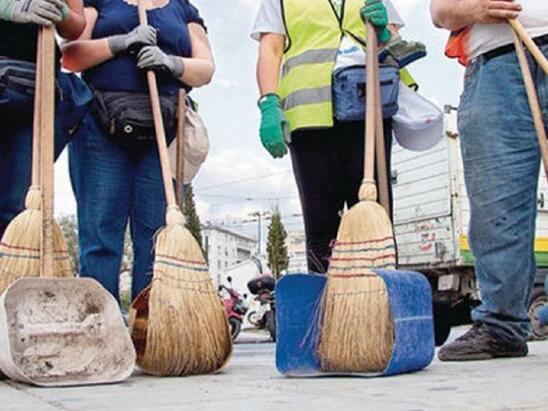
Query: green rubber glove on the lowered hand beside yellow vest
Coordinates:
[274,126]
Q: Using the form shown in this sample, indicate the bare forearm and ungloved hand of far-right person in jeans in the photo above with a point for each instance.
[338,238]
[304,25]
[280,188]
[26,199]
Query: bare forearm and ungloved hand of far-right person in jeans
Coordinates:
[457,14]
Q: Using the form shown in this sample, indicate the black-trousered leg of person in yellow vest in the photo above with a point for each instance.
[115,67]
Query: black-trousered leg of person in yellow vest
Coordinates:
[317,174]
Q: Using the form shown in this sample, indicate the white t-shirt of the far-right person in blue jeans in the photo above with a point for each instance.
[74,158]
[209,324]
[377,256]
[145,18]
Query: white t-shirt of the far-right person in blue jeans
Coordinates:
[487,37]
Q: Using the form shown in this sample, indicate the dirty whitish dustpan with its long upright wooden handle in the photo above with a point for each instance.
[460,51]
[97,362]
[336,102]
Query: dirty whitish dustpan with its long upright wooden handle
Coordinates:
[59,331]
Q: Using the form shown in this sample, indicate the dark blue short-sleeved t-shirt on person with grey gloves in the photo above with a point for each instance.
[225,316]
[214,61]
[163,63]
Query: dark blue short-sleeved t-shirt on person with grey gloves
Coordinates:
[118,17]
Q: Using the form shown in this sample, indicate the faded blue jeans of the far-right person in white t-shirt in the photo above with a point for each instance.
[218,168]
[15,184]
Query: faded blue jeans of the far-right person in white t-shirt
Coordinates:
[501,162]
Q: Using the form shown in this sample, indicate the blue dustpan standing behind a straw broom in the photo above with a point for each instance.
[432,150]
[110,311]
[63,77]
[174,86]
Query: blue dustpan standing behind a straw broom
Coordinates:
[298,299]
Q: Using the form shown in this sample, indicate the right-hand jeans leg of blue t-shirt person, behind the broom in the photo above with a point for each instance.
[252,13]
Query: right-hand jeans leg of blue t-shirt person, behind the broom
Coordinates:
[147,216]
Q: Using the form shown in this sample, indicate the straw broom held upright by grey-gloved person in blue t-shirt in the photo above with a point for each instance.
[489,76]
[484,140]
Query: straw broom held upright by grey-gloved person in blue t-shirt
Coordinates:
[187,330]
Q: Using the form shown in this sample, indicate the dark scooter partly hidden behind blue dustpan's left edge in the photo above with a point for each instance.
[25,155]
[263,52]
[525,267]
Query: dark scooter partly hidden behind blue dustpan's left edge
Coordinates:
[263,287]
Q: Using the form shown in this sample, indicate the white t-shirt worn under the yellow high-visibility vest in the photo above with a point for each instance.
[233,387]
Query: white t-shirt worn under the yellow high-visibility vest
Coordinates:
[270,20]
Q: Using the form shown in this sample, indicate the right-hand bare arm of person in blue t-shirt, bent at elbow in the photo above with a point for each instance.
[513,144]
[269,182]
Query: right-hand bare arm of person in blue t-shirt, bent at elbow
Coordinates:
[199,69]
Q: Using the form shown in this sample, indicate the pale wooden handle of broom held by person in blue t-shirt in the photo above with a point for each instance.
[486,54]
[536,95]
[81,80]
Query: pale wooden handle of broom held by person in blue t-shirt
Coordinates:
[158,123]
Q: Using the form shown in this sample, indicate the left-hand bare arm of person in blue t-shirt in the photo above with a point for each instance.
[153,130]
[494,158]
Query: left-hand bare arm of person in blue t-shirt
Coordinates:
[85,53]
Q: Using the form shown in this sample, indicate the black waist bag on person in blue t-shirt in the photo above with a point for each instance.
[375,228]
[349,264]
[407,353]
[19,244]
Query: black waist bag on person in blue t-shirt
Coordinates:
[127,118]
